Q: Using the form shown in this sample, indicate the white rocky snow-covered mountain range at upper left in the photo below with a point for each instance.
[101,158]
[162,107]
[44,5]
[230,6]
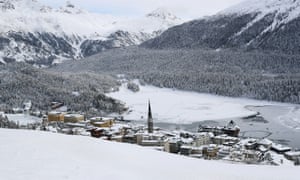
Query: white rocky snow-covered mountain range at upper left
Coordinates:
[39,34]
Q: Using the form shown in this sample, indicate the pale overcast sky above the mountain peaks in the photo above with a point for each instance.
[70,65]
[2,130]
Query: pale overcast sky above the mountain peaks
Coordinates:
[187,9]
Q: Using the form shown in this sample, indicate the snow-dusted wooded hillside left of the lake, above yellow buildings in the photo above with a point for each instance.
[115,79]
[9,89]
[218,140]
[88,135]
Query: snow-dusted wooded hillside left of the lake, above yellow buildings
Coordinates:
[21,82]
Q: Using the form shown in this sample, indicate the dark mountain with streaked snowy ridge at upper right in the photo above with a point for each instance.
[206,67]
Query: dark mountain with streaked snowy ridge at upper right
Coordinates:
[269,25]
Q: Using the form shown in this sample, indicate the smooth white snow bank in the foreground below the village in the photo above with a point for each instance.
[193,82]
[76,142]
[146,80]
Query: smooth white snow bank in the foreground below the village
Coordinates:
[39,155]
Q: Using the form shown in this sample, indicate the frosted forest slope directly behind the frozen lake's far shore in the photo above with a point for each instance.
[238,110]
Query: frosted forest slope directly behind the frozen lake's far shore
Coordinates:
[225,72]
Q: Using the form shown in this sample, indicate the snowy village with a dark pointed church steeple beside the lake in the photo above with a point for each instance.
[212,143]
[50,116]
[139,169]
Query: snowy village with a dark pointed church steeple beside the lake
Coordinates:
[211,143]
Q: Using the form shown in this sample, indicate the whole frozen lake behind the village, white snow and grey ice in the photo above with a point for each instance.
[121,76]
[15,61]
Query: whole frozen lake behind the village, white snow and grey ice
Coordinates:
[173,109]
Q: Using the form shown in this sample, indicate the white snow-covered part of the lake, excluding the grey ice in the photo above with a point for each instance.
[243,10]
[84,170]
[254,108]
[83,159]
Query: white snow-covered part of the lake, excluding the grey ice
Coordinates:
[182,107]
